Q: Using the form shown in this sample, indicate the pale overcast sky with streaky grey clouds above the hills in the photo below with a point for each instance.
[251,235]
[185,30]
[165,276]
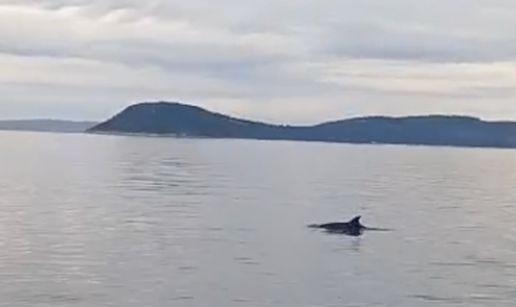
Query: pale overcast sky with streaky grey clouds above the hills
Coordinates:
[282,61]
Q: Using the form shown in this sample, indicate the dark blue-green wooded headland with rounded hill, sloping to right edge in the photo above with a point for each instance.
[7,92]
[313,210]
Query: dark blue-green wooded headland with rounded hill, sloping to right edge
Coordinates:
[183,120]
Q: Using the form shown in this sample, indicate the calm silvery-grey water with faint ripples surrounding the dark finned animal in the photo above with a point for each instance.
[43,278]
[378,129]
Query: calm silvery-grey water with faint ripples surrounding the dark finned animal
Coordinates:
[127,221]
